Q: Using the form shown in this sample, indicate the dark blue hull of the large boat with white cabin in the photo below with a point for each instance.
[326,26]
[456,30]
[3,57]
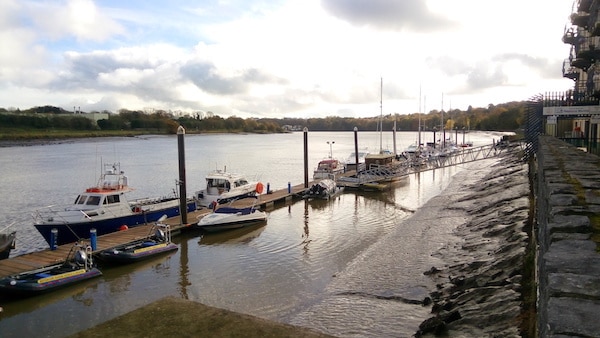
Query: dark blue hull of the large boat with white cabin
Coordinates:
[72,232]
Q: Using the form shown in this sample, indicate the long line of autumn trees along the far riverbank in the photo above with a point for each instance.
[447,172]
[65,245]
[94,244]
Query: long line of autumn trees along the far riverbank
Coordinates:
[502,117]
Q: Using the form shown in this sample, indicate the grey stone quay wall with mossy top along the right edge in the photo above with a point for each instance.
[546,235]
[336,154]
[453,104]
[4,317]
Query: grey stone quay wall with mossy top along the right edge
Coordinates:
[568,220]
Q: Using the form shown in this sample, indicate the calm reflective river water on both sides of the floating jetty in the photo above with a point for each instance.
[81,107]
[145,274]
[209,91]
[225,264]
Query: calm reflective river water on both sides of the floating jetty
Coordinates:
[274,271]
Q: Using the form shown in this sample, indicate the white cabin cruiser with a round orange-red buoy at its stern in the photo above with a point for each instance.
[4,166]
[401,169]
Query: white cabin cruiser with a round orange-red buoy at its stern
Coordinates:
[223,187]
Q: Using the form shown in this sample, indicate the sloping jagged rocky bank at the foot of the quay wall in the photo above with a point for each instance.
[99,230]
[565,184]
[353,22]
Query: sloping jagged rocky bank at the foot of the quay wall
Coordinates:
[480,287]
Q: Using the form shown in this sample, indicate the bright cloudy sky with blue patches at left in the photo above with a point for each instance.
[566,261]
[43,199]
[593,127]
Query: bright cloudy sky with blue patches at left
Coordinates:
[280,58]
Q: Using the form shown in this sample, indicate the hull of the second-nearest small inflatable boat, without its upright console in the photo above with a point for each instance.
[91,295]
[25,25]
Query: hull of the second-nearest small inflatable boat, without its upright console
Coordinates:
[136,253]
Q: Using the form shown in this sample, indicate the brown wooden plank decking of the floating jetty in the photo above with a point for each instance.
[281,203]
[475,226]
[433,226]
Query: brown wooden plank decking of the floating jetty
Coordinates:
[40,259]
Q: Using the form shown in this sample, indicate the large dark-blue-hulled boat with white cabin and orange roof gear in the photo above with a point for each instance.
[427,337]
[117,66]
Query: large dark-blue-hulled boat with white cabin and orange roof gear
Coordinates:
[103,207]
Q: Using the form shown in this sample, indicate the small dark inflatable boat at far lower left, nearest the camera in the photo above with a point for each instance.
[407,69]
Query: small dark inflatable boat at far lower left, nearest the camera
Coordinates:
[78,267]
